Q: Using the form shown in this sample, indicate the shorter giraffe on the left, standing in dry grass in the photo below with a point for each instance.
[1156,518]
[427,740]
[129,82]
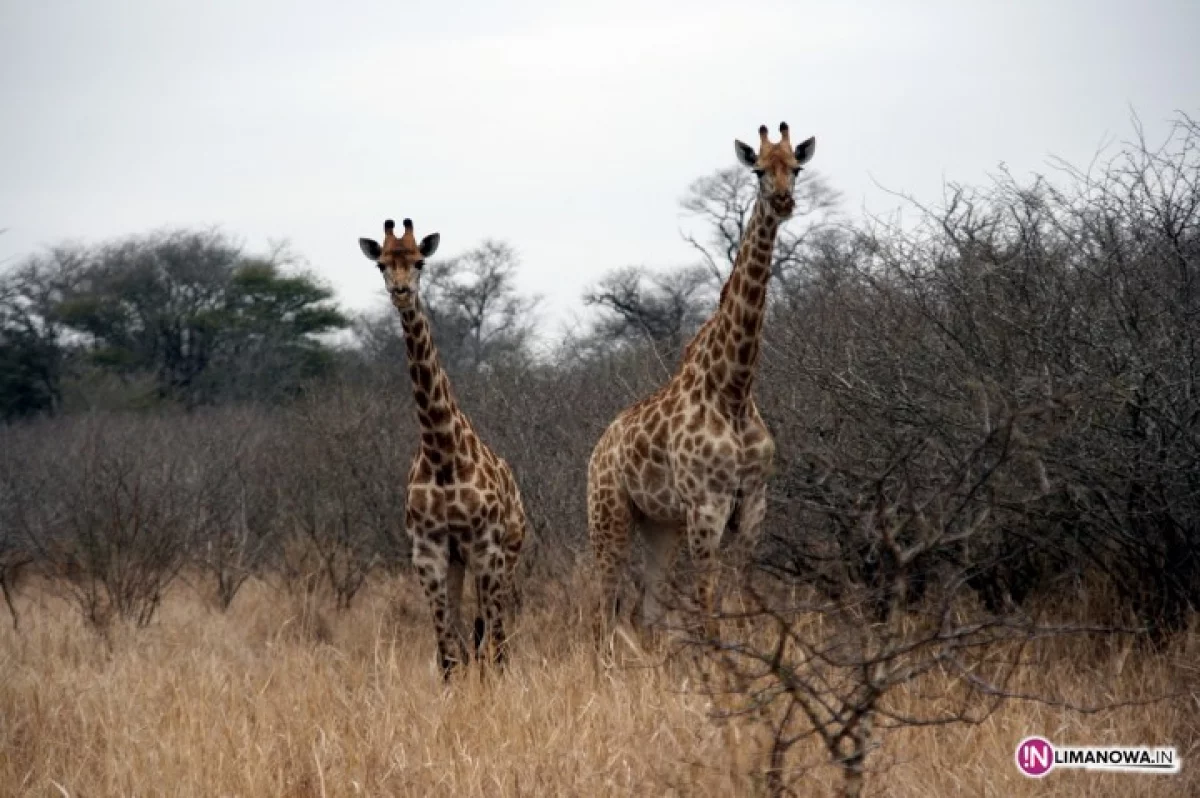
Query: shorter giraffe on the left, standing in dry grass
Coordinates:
[464,508]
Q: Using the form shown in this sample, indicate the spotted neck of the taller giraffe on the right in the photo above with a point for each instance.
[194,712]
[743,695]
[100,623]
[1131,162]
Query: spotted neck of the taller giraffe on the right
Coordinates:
[729,351]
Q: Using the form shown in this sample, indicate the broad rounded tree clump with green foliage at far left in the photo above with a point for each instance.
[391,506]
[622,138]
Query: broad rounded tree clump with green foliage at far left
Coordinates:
[185,311]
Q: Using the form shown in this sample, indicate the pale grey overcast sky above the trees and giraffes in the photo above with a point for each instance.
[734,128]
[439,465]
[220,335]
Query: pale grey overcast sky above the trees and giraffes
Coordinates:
[571,130]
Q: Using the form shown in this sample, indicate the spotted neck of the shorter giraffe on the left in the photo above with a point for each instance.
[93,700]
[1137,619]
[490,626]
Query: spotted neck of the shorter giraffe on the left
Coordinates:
[436,410]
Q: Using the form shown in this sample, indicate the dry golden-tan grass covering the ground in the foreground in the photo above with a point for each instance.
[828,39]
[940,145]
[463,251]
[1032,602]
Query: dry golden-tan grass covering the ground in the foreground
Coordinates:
[261,703]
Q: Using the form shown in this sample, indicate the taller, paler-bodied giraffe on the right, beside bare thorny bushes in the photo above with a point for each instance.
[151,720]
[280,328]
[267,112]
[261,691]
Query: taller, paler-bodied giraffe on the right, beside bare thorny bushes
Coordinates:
[692,460]
